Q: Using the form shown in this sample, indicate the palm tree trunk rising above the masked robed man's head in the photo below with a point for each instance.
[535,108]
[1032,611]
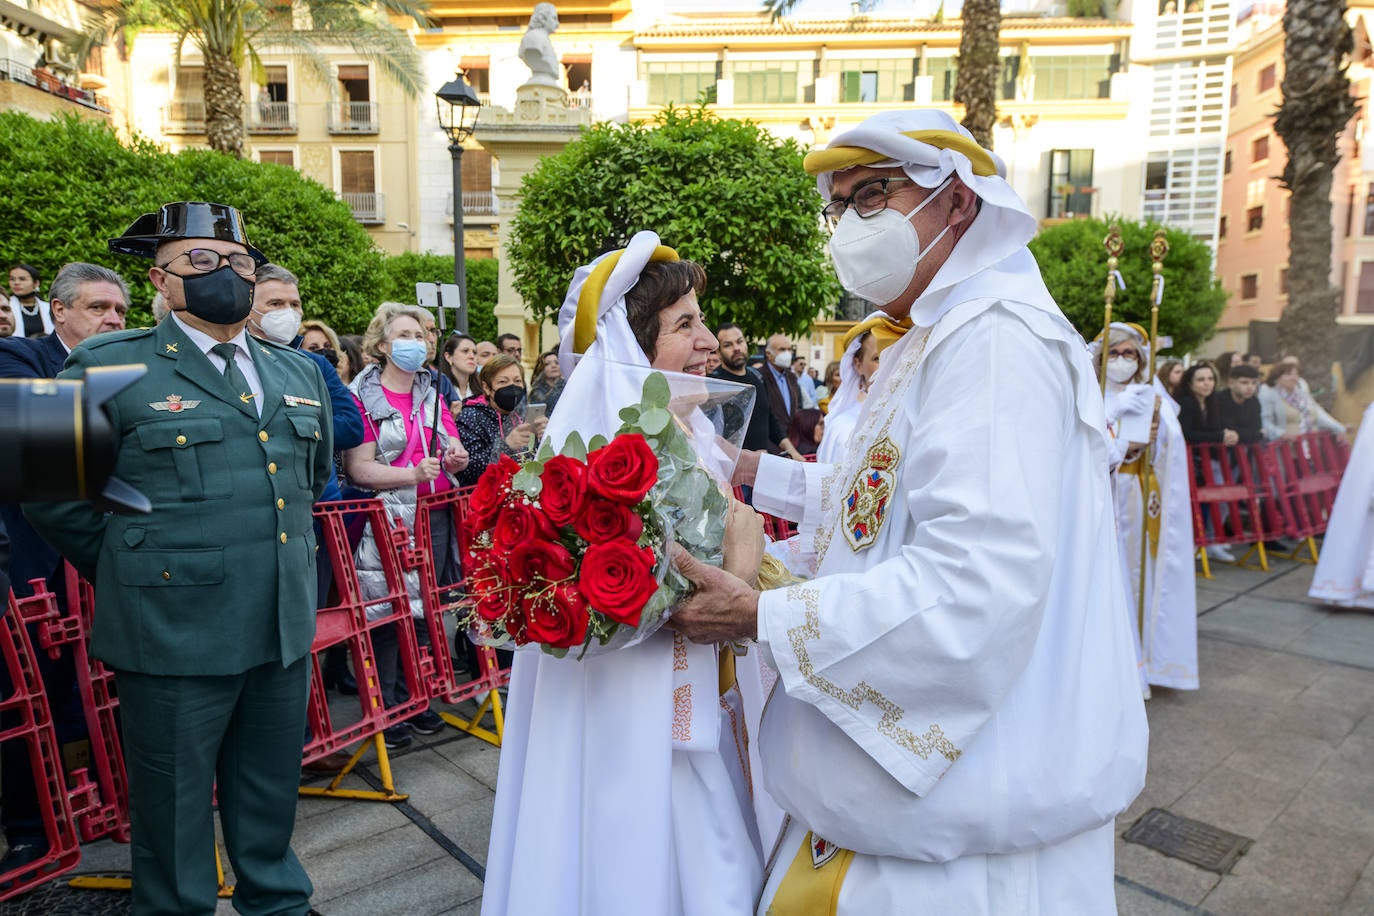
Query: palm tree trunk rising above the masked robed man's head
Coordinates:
[980,61]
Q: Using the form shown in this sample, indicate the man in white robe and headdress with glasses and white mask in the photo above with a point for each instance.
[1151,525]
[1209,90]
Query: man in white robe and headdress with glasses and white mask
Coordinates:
[960,719]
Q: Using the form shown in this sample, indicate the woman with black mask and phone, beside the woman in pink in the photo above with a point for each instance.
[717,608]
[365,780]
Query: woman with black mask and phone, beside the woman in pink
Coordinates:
[494,424]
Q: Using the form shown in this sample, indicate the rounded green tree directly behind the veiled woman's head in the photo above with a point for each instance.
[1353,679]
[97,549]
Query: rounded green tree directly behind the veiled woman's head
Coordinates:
[726,194]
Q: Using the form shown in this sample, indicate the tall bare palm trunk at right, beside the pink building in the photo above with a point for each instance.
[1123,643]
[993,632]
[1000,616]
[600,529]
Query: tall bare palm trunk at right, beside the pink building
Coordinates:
[1317,106]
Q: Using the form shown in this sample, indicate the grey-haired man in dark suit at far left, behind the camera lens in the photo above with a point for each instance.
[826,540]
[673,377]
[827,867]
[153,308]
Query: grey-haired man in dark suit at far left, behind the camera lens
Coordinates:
[86,300]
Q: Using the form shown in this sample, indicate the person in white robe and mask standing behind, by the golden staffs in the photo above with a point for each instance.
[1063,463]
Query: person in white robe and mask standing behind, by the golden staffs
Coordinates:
[1167,632]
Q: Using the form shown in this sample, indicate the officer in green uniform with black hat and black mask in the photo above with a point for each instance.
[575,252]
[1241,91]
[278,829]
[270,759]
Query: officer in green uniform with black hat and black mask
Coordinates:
[205,608]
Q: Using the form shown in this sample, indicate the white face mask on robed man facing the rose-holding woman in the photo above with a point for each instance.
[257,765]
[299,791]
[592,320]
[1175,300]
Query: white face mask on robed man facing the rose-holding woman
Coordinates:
[876,257]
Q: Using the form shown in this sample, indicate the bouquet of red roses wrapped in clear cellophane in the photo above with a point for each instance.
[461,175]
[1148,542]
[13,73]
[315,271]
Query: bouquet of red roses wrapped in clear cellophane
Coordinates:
[571,551]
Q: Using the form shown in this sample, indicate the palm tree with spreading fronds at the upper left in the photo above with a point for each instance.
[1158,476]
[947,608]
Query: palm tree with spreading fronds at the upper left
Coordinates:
[233,34]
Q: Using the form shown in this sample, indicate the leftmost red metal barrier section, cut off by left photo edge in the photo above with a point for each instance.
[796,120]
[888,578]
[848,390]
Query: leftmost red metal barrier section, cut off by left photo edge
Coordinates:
[28,701]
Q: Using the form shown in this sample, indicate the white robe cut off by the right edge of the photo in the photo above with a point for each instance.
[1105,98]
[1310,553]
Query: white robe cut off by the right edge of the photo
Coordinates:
[1346,569]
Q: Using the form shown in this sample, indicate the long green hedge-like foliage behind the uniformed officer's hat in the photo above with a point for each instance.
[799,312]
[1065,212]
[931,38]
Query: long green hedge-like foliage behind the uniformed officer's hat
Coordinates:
[69,186]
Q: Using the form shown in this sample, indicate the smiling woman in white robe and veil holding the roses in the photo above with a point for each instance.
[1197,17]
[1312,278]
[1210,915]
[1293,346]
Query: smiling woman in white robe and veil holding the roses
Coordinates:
[624,785]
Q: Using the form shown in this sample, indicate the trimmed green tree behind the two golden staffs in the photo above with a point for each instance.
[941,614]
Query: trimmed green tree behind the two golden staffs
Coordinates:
[1074,266]
